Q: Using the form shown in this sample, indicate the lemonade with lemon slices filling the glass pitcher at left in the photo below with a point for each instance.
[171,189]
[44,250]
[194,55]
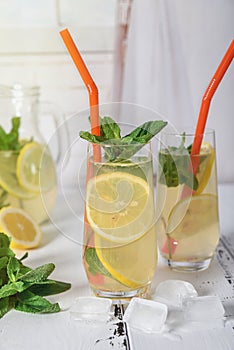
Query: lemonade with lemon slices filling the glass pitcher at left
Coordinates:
[28,180]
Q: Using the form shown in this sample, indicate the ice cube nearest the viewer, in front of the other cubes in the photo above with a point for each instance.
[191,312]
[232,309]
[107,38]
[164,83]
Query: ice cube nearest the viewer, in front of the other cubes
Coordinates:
[146,315]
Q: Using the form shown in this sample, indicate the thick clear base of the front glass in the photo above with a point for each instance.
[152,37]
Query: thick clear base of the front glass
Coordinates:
[122,297]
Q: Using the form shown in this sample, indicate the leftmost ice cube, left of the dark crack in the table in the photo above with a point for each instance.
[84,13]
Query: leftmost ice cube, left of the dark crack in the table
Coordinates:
[91,309]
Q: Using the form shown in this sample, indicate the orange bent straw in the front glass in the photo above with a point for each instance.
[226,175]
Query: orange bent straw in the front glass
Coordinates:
[90,85]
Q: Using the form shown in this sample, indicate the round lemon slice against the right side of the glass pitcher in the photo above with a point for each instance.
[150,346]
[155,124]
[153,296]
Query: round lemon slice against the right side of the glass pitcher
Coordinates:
[35,168]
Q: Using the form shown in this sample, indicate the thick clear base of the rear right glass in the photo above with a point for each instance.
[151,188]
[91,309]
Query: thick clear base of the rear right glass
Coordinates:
[188,266]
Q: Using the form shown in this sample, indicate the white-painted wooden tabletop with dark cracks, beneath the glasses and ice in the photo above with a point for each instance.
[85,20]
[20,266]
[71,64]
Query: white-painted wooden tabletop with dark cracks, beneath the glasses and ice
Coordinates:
[59,331]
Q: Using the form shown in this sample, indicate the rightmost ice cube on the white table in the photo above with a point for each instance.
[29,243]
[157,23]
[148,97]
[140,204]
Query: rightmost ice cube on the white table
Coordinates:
[204,308]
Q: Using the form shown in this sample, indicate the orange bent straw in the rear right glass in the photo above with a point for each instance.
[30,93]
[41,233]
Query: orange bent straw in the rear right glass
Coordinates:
[205,105]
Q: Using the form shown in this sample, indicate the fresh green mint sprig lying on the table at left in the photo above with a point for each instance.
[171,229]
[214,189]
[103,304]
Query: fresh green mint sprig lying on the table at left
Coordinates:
[22,288]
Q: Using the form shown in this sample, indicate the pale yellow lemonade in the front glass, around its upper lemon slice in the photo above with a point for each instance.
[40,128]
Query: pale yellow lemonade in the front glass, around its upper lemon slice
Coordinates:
[130,266]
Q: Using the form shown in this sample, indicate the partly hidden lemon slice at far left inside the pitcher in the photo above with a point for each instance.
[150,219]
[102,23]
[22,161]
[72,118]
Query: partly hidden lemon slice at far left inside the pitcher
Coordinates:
[8,178]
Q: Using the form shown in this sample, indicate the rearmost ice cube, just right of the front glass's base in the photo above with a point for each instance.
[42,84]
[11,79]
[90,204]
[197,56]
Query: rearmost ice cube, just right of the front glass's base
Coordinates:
[172,292]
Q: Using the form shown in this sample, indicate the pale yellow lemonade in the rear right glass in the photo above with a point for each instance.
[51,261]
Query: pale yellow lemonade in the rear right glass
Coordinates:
[184,246]
